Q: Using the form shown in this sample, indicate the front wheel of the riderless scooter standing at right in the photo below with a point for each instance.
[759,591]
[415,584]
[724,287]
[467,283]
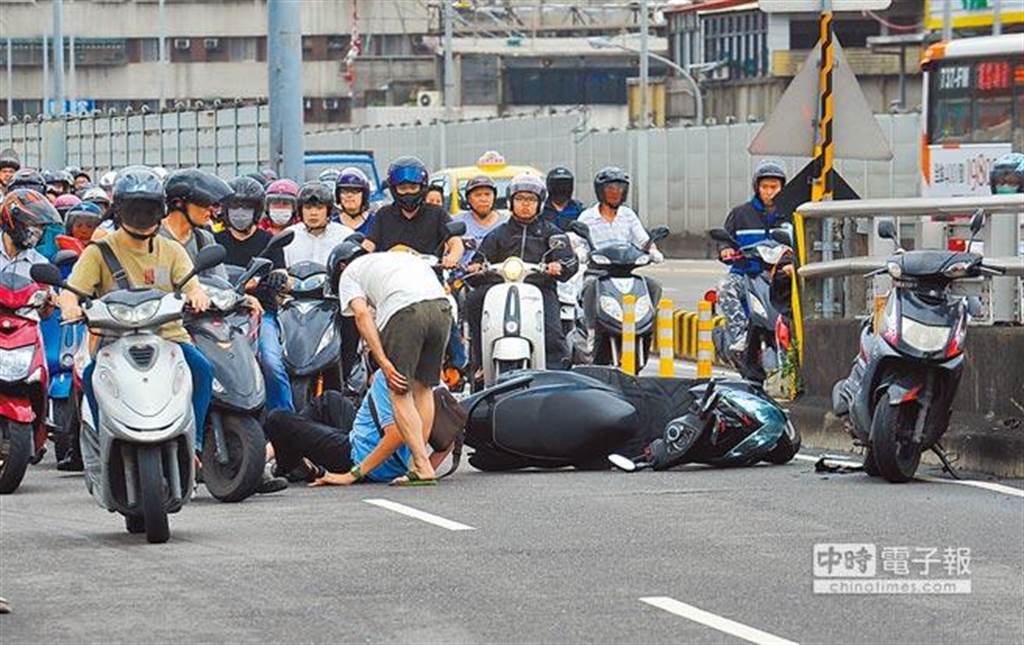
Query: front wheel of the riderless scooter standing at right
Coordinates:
[895,456]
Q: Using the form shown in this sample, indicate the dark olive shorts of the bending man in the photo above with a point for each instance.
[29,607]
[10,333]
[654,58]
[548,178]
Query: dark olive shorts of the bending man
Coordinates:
[415,339]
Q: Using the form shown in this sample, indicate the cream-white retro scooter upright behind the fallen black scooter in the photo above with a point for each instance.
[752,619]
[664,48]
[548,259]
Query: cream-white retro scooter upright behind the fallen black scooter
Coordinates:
[513,327]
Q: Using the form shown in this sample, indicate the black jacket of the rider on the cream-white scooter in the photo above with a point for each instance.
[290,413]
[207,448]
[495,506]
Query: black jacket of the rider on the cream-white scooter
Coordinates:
[530,243]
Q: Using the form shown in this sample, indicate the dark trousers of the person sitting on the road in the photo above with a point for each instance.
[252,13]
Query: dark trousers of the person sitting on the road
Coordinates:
[319,434]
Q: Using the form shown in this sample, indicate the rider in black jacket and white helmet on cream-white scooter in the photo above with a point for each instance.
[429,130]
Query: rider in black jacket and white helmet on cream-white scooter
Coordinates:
[526,236]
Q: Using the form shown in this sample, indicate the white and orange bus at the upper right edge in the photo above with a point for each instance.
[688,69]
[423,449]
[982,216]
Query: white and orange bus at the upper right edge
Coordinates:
[974,112]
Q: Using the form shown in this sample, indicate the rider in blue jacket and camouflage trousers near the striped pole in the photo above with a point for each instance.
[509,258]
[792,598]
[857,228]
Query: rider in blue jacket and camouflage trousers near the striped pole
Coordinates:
[749,224]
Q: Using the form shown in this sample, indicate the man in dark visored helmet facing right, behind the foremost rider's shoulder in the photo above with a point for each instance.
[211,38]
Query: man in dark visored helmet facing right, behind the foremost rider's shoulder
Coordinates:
[194,199]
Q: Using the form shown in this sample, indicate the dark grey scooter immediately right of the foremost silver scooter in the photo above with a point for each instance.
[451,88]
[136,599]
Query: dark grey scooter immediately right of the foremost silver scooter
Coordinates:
[234,446]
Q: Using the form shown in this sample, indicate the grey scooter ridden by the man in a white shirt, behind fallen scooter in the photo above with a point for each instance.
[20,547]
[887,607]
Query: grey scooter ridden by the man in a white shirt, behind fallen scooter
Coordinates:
[615,266]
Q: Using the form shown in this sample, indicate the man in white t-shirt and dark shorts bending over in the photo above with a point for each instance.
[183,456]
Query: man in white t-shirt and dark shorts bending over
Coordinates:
[404,317]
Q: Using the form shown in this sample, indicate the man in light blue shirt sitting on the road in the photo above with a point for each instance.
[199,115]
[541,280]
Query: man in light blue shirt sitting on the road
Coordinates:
[332,444]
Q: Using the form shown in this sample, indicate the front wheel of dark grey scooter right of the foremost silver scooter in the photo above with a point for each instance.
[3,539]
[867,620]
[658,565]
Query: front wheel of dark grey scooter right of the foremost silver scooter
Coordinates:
[240,478]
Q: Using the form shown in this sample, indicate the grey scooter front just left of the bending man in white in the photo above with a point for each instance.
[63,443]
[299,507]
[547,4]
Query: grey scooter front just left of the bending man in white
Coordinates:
[311,334]
